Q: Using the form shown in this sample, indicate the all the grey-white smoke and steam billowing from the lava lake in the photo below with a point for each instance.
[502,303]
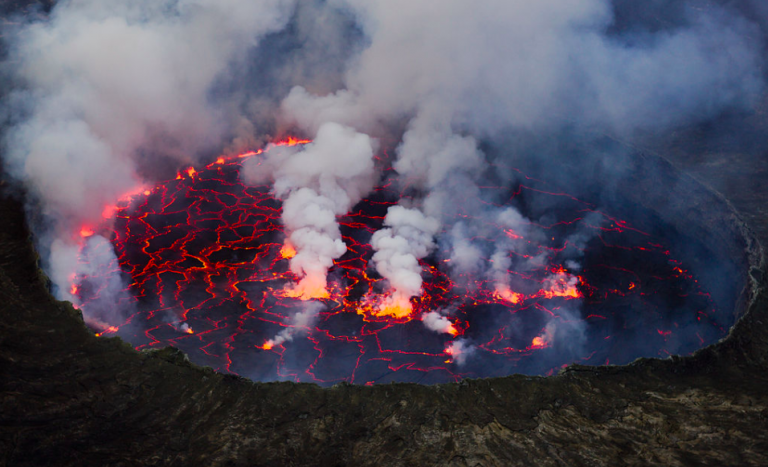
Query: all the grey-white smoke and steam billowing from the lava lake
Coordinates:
[110,96]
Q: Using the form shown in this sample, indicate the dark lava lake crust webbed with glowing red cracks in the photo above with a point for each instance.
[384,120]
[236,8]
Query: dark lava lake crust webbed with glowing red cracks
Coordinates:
[207,263]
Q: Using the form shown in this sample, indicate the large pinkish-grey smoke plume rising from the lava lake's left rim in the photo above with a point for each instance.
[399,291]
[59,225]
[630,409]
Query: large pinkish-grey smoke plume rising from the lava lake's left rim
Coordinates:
[107,84]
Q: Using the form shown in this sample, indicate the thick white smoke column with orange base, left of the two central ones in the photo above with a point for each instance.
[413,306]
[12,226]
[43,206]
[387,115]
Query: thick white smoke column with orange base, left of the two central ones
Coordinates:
[318,183]
